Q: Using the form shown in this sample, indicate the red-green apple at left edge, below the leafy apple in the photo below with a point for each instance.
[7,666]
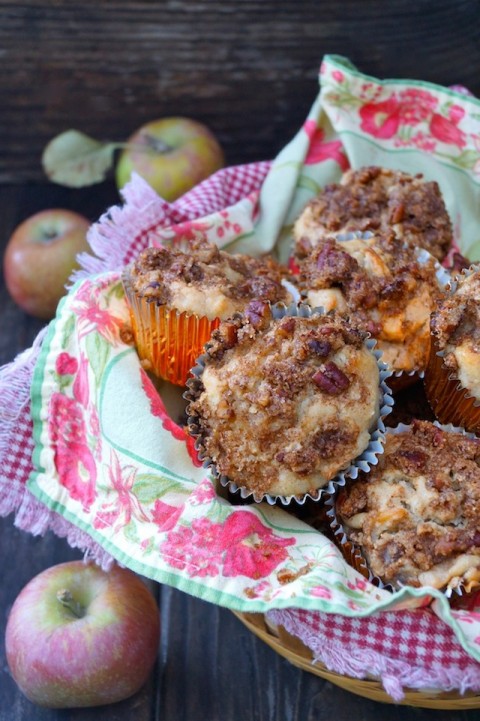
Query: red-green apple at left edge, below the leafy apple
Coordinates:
[40,257]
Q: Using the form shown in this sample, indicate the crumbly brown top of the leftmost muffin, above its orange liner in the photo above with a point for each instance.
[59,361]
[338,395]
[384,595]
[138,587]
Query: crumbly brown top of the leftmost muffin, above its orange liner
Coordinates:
[205,280]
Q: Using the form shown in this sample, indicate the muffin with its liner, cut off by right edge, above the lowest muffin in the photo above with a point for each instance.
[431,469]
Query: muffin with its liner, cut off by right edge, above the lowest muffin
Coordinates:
[452,378]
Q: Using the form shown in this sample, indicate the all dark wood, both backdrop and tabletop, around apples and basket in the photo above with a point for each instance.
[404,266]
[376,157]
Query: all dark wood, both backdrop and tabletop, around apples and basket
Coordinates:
[249,71]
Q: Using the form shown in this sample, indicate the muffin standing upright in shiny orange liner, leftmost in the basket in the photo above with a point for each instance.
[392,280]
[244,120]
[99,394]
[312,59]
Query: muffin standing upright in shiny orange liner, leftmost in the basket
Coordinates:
[177,295]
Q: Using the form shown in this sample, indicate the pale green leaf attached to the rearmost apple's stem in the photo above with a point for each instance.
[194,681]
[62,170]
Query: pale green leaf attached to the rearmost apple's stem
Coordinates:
[76,160]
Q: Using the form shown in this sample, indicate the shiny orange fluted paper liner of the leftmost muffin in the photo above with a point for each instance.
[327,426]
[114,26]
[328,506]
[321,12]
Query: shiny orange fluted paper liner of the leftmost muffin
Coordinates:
[168,342]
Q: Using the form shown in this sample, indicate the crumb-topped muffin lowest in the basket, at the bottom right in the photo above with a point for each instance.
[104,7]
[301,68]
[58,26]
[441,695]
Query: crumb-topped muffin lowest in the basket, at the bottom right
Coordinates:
[414,516]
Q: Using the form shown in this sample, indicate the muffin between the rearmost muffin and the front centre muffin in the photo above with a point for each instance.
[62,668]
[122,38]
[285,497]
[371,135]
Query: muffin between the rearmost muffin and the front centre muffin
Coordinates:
[384,286]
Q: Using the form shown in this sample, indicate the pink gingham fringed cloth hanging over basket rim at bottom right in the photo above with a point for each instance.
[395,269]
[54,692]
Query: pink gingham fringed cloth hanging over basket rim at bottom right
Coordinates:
[404,649]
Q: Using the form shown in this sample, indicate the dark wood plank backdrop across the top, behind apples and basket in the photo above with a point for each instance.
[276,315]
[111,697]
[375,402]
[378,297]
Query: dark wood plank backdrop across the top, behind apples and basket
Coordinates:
[247,69]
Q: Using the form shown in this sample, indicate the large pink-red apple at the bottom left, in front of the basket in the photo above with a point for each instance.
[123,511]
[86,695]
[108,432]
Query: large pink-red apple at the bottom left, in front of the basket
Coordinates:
[78,636]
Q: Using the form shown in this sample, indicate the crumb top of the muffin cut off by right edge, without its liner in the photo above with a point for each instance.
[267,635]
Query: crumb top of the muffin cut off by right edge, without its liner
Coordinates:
[455,326]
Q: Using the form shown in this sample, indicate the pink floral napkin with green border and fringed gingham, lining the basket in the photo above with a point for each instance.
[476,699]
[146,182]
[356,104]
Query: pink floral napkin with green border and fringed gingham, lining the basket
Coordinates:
[113,469]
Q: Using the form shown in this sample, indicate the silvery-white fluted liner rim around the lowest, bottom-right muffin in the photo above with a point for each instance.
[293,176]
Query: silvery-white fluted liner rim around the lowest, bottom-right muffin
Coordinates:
[342,538]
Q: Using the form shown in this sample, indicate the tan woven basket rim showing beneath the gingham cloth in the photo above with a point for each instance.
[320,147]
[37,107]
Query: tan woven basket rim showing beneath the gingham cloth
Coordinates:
[299,655]
